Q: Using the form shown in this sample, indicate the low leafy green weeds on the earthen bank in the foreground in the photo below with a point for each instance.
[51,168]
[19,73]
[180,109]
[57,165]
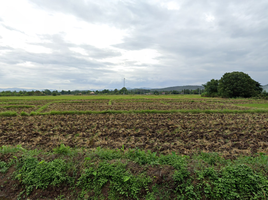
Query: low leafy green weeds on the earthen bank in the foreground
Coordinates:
[68,173]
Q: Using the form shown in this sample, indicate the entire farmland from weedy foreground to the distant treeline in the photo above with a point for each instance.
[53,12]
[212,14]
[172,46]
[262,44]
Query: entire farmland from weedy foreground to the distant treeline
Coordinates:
[158,141]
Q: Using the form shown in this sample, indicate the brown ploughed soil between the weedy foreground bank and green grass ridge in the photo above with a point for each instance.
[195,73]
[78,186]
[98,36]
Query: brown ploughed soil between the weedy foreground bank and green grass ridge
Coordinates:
[229,134]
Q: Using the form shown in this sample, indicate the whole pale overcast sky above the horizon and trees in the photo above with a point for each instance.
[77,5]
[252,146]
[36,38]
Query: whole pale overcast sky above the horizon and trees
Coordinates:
[89,44]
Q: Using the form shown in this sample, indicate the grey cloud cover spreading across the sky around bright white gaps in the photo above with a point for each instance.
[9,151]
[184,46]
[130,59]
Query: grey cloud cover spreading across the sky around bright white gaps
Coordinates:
[192,50]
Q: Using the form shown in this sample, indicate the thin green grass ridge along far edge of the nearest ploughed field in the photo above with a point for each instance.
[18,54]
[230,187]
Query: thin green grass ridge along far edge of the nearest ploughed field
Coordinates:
[129,112]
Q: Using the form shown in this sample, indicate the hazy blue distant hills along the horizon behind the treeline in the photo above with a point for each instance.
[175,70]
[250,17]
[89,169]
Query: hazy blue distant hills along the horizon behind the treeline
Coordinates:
[177,88]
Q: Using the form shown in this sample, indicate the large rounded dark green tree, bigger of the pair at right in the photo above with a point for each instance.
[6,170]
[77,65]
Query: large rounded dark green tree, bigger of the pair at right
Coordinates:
[238,84]
